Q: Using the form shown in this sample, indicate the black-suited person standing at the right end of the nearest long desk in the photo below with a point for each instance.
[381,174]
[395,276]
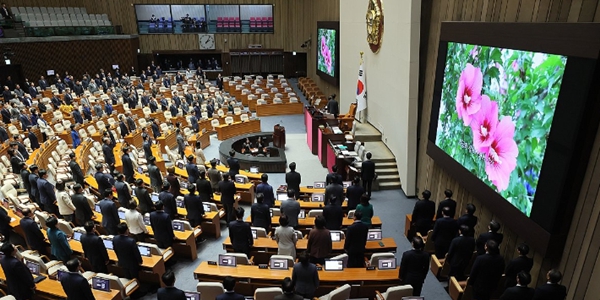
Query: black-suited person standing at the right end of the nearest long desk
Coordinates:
[414,266]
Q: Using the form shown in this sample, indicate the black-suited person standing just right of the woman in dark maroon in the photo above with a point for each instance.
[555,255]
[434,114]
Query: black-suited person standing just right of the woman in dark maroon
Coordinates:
[356,239]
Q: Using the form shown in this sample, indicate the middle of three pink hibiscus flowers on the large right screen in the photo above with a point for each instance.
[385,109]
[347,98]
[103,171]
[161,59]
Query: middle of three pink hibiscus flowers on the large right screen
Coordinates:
[484,124]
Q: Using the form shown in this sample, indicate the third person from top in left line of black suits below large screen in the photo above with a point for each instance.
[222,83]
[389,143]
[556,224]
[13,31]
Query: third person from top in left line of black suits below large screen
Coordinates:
[460,253]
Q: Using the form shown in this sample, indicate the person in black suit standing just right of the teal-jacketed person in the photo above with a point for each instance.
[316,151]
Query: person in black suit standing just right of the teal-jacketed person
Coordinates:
[94,249]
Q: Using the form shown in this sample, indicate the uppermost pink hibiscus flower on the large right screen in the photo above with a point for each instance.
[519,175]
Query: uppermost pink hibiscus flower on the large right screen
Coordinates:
[468,97]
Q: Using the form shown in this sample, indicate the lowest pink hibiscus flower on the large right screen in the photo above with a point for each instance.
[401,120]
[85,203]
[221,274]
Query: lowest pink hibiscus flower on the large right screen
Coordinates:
[501,157]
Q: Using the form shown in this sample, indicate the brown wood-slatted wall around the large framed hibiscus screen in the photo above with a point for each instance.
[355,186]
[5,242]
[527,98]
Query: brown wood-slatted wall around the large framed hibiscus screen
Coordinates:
[580,261]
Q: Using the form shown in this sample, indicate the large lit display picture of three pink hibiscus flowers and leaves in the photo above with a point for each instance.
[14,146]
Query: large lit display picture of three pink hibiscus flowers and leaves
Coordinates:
[496,111]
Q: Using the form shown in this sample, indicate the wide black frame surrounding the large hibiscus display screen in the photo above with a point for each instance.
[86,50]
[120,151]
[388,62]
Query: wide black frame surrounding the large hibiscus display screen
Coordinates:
[564,165]
